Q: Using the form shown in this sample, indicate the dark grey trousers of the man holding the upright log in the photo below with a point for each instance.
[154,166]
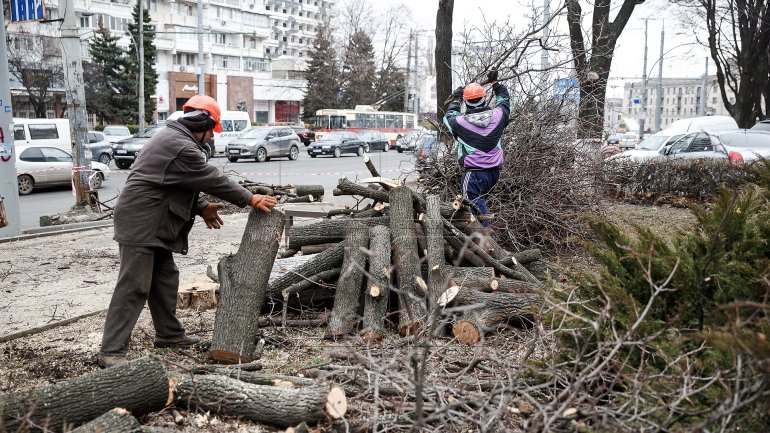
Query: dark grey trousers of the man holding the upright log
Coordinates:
[146,275]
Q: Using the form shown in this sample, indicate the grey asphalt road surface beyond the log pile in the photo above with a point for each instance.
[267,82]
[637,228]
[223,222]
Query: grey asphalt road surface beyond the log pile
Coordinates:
[322,170]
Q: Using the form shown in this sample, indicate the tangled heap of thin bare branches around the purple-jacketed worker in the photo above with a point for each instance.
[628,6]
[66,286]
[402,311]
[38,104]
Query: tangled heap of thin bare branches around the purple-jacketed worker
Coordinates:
[546,181]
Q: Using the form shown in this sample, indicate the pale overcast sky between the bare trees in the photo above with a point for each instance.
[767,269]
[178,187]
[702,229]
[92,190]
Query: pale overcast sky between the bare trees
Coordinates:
[682,57]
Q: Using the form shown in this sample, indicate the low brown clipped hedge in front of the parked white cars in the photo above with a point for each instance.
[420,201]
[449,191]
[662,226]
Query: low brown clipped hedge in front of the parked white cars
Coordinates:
[656,180]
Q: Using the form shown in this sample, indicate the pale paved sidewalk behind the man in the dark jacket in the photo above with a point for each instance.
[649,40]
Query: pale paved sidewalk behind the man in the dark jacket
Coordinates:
[64,275]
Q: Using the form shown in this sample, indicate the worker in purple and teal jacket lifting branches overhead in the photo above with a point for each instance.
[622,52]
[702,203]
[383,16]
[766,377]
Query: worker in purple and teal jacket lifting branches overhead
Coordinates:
[478,133]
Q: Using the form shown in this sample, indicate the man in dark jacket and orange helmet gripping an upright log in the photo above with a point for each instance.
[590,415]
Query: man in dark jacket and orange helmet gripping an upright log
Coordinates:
[154,215]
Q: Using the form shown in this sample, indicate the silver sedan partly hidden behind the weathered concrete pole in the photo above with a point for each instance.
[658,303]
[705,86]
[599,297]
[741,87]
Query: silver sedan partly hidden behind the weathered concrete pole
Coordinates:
[42,166]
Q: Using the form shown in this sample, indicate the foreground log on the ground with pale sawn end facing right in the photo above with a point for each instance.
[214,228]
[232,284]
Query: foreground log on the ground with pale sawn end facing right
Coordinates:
[273,405]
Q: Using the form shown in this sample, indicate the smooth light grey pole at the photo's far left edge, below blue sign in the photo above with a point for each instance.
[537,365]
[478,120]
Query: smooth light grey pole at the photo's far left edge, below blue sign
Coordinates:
[10,219]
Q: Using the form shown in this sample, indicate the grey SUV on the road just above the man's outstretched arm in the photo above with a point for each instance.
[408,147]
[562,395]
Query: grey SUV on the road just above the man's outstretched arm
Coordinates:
[263,143]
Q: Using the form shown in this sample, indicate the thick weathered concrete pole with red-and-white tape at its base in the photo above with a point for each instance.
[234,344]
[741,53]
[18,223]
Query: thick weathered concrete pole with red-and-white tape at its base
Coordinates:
[76,101]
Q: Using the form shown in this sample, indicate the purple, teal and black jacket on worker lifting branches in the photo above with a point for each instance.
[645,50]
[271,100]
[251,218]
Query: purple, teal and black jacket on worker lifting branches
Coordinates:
[479,130]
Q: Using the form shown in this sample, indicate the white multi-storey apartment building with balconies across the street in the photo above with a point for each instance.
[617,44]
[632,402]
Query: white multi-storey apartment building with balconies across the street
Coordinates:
[254,51]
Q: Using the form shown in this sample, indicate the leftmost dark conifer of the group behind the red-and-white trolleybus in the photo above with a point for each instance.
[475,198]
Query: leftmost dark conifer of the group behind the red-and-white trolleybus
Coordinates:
[322,75]
